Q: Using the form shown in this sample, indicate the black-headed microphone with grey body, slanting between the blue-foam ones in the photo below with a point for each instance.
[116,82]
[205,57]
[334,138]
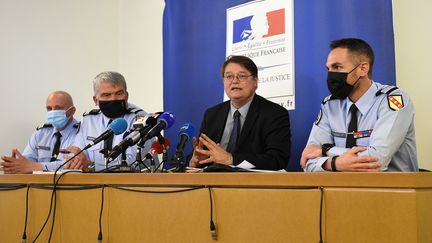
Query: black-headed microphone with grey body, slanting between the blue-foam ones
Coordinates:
[139,130]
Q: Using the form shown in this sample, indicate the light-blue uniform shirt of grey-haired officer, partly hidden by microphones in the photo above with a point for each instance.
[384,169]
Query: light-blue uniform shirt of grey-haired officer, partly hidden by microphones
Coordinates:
[94,124]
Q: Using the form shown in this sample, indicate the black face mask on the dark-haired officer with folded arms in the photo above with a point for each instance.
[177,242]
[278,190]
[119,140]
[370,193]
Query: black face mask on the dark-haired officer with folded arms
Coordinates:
[337,84]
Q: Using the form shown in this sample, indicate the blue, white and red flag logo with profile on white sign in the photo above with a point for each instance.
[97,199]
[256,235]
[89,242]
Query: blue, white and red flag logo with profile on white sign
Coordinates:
[259,26]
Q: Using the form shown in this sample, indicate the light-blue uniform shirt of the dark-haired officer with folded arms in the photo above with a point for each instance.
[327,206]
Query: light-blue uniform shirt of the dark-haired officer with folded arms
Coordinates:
[385,128]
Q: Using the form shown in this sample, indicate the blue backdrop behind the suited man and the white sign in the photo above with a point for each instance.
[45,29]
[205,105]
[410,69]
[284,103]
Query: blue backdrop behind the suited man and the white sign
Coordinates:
[194,34]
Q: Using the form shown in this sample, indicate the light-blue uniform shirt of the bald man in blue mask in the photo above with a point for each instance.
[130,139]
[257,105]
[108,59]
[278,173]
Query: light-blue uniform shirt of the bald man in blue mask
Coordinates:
[41,144]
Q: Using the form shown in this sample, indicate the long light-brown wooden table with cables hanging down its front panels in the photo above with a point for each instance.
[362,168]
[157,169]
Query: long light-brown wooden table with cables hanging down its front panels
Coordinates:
[246,207]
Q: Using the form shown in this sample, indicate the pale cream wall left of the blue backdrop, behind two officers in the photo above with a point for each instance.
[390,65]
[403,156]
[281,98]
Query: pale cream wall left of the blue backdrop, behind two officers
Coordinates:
[48,45]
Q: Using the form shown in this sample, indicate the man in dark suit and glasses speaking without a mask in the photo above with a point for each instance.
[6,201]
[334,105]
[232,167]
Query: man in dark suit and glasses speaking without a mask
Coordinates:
[247,131]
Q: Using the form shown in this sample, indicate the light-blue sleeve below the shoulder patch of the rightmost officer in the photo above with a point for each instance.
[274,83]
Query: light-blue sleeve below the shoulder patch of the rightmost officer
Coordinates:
[390,130]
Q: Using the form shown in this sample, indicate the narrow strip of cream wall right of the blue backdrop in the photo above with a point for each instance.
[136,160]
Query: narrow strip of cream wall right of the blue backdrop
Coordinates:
[413,38]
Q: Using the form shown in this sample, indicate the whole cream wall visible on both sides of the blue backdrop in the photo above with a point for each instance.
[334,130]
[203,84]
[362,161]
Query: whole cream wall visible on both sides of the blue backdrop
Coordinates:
[47,45]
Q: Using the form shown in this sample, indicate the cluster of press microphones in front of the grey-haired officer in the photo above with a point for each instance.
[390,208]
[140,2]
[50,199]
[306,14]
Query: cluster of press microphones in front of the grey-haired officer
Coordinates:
[144,129]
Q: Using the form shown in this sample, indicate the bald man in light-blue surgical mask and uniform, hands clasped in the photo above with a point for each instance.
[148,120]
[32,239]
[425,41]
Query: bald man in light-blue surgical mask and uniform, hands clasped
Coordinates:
[42,151]
